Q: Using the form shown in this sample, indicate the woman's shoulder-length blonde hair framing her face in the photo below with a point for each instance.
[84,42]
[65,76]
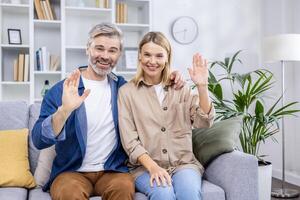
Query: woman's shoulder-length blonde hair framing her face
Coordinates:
[159,39]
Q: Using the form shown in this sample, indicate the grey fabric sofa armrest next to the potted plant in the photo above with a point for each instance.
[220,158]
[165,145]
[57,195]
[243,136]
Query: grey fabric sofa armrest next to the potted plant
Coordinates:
[237,173]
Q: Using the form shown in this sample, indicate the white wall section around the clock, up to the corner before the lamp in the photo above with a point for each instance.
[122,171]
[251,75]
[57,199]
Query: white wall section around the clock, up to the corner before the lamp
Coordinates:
[224,28]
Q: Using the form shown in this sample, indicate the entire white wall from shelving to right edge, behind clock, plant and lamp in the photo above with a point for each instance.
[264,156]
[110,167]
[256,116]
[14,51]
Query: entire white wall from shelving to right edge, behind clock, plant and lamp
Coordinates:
[224,28]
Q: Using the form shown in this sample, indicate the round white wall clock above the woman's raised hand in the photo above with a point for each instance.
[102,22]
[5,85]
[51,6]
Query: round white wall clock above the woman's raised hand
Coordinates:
[184,30]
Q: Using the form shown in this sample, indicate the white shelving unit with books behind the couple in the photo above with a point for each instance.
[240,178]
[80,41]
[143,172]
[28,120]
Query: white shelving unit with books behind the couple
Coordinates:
[66,37]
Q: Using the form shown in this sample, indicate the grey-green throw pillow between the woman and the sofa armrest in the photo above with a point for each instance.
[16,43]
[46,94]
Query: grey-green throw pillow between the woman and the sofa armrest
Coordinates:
[209,143]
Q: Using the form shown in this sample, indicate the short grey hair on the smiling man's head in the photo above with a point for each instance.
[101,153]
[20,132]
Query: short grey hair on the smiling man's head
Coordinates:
[105,29]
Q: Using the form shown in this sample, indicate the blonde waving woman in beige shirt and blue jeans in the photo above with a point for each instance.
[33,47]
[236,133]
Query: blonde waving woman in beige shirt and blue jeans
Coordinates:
[156,123]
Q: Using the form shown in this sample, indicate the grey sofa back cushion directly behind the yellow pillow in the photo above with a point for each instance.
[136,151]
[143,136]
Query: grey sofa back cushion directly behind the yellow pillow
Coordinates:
[14,115]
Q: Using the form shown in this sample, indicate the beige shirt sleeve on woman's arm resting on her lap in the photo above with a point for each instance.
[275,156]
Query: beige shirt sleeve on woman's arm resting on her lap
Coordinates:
[128,132]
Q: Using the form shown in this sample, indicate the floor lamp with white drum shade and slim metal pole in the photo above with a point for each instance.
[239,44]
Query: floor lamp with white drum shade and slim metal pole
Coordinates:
[283,47]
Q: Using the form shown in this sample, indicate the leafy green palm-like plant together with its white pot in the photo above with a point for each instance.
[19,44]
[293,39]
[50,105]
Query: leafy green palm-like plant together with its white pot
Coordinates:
[247,97]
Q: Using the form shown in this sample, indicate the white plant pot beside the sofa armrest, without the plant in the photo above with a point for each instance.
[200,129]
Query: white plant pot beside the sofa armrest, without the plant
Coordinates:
[264,180]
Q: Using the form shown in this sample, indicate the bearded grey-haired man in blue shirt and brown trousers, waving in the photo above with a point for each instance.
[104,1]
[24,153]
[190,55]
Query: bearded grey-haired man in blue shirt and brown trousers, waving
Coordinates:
[83,126]
